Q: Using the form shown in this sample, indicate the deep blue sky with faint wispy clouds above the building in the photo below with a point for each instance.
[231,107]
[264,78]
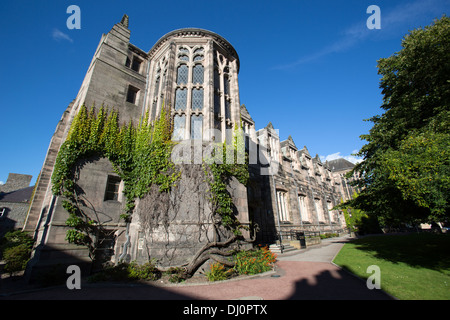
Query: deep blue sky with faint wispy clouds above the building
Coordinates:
[309,67]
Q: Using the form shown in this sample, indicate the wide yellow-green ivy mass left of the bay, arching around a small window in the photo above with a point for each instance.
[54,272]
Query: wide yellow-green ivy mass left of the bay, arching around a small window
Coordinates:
[140,156]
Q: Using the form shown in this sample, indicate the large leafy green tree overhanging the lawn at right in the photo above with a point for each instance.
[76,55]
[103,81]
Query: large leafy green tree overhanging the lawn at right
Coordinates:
[405,172]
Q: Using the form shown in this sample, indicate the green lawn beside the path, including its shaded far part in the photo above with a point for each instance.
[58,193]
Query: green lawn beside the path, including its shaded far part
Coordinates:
[413,267]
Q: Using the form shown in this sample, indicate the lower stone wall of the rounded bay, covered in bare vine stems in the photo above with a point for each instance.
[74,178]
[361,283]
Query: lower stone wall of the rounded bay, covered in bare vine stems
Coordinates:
[172,227]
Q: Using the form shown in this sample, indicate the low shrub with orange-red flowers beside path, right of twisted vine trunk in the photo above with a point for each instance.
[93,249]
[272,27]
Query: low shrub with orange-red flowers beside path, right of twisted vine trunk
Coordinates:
[254,261]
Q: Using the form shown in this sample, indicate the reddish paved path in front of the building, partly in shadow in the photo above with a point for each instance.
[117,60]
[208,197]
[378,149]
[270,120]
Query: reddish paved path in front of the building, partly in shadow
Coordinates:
[305,275]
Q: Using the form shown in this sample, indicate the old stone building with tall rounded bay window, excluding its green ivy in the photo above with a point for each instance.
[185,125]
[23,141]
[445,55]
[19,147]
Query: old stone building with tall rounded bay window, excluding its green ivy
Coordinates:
[193,73]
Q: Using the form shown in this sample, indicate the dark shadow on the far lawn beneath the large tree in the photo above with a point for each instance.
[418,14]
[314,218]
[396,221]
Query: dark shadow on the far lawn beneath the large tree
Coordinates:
[419,250]
